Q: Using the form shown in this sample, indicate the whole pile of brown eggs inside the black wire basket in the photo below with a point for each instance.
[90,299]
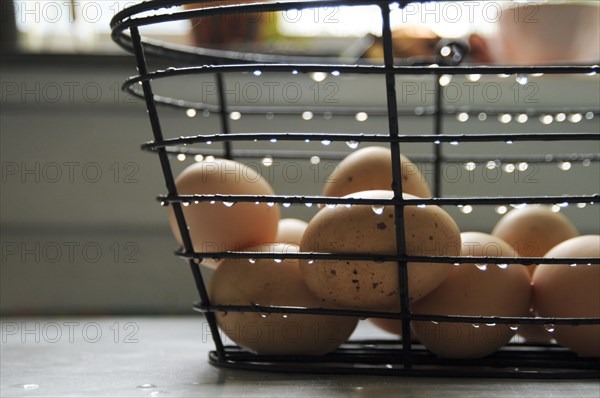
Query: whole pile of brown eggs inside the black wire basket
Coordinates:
[470,289]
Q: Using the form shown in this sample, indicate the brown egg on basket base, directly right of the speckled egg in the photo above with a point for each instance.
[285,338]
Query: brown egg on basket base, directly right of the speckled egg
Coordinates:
[472,289]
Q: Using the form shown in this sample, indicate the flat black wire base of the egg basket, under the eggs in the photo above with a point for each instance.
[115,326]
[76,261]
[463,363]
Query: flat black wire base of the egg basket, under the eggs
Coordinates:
[384,358]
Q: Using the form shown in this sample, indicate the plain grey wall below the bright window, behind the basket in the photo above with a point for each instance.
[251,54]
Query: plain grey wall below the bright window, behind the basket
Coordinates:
[84,242]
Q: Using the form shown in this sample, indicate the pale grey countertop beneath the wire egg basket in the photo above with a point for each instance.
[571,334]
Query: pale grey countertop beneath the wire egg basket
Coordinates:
[167,357]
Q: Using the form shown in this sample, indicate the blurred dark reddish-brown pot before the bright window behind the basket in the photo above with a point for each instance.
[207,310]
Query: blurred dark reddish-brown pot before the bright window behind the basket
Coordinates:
[223,31]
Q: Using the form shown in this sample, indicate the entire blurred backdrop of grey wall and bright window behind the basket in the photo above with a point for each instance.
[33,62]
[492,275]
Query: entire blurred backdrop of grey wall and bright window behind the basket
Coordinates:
[81,230]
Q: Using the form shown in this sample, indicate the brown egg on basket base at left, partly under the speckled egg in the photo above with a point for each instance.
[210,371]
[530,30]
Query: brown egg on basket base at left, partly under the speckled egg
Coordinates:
[270,283]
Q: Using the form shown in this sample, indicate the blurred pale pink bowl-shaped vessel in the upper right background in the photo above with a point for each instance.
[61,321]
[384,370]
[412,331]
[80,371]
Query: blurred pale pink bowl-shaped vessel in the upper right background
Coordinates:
[547,33]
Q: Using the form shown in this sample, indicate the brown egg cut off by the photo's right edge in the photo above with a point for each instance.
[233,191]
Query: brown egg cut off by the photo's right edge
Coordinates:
[560,290]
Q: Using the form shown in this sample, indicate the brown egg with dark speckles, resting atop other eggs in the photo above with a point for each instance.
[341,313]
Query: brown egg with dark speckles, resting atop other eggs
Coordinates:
[371,230]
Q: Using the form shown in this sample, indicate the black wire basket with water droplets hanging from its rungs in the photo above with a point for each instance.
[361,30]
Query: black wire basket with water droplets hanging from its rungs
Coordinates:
[400,357]
